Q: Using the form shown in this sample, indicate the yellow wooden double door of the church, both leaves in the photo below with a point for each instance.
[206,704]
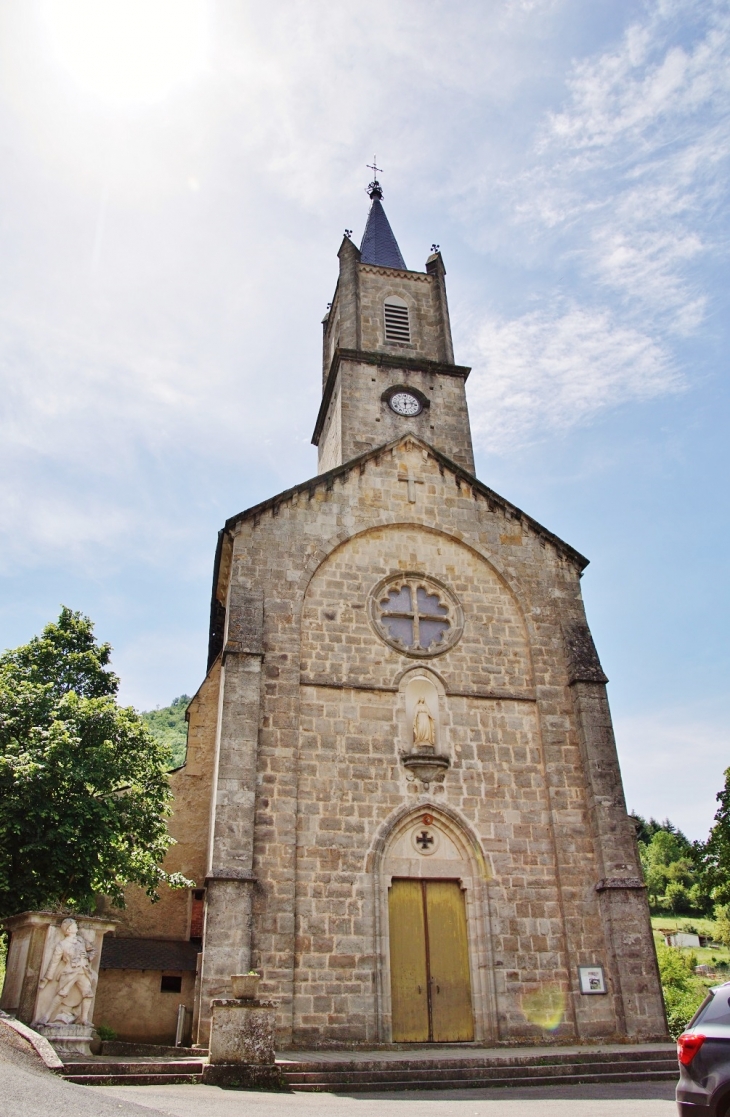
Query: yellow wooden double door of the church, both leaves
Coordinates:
[430,985]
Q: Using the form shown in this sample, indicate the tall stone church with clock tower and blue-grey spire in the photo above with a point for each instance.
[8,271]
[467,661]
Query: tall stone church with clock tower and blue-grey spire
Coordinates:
[401,803]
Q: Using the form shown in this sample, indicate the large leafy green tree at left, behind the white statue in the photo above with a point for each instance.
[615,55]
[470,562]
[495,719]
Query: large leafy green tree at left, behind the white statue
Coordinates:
[84,794]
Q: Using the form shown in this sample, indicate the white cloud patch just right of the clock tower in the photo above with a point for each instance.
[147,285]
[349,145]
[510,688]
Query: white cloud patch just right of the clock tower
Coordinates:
[544,373]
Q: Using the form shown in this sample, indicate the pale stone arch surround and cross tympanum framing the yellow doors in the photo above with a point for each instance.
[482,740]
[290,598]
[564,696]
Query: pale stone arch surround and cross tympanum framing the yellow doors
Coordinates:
[455,854]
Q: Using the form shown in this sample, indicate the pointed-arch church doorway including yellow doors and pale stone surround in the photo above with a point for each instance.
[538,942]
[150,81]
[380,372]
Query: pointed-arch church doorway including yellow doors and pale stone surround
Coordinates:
[435,973]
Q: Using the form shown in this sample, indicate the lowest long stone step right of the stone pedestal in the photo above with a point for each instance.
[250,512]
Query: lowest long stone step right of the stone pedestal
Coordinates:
[415,1082]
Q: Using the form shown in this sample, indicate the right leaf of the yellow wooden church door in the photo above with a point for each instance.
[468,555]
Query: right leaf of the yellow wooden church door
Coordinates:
[452,1016]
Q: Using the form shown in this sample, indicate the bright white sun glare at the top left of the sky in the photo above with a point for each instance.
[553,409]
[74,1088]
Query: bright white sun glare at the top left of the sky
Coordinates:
[128,51]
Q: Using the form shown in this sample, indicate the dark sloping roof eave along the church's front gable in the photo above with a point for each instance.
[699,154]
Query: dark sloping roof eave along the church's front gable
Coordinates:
[328,480]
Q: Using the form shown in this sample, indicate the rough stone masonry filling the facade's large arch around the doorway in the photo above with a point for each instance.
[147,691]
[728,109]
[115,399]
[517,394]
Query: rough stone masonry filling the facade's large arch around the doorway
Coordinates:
[351,781]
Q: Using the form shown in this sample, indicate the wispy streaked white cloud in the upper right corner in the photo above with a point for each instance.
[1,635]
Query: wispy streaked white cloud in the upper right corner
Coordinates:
[632,170]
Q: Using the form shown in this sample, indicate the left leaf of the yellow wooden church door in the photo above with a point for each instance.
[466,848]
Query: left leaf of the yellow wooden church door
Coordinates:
[409,972]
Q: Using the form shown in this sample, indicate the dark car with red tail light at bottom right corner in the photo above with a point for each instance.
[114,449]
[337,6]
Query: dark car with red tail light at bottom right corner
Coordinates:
[704,1052]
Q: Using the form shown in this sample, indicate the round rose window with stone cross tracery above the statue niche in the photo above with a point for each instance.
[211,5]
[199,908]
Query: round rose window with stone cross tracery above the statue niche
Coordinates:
[416,615]
